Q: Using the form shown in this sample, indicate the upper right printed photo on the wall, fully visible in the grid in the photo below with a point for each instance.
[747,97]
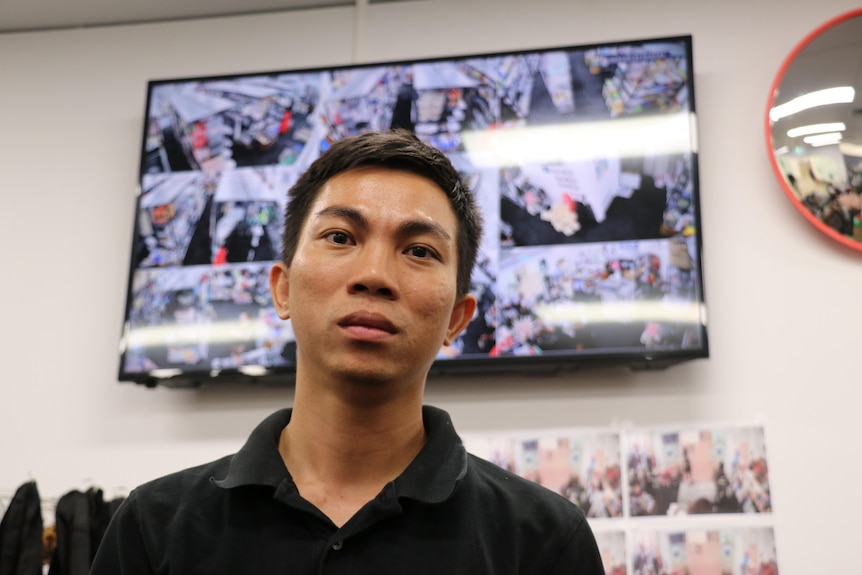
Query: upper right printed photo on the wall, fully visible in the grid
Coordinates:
[697,471]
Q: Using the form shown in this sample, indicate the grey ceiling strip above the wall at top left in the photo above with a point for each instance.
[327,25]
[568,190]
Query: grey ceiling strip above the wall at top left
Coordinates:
[39,15]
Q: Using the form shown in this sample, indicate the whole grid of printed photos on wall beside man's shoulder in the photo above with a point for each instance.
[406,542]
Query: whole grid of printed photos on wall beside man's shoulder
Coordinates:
[671,500]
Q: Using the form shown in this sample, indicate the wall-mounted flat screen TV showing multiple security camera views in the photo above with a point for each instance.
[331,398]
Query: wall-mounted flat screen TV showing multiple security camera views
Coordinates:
[582,158]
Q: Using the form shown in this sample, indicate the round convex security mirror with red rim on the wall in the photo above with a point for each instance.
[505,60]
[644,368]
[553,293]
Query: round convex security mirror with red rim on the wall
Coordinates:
[814,128]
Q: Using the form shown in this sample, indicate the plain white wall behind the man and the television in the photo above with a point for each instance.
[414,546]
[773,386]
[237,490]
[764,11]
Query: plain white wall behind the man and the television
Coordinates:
[784,301]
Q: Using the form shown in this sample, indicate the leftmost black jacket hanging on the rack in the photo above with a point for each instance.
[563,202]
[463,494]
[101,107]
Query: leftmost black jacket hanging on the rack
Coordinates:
[21,533]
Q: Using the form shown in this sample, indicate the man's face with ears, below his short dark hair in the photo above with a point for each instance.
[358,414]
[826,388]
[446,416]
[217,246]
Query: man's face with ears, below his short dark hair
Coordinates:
[371,290]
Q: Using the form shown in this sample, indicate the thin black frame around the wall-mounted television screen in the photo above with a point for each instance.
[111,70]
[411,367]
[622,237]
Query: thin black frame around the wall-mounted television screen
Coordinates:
[637,358]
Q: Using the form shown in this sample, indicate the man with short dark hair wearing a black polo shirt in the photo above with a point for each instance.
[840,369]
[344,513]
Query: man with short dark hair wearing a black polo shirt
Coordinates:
[380,238]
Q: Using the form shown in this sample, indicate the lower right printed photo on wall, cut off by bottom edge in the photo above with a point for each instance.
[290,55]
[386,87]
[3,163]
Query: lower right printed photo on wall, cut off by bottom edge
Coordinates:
[740,551]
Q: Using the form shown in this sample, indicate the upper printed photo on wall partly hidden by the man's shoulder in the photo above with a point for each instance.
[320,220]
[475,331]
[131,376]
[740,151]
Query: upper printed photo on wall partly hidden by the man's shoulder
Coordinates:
[583,466]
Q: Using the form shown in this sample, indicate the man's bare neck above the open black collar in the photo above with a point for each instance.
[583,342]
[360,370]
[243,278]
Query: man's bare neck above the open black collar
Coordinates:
[341,453]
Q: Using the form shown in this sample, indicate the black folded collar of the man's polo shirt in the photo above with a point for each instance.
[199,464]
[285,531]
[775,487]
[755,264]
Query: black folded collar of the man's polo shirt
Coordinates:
[431,477]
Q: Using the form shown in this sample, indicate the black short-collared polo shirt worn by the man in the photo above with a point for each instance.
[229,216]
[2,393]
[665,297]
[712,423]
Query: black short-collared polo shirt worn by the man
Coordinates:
[448,513]
